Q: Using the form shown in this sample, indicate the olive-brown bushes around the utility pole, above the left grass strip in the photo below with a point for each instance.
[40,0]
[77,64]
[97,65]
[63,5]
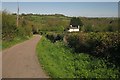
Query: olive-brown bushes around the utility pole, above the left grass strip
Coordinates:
[10,30]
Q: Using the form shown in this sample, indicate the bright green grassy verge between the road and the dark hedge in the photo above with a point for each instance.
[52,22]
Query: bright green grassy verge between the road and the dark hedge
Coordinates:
[60,62]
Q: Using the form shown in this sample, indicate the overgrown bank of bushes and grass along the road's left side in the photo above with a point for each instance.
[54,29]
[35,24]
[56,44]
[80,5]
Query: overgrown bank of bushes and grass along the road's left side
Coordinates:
[13,34]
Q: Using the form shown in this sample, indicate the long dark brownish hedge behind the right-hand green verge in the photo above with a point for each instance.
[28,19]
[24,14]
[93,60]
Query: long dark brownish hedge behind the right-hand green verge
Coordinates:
[98,44]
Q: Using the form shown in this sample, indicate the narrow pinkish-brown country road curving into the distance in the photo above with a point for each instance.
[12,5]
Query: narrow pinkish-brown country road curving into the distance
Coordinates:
[20,61]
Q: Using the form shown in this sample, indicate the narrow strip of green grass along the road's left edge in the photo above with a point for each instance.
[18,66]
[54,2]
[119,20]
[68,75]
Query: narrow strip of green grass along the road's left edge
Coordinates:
[8,44]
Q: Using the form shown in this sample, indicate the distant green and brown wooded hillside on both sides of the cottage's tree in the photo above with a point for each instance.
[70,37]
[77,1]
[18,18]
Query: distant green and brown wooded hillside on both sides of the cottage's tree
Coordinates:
[59,22]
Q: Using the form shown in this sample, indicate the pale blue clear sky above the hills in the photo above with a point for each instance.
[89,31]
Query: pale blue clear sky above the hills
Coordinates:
[84,9]
